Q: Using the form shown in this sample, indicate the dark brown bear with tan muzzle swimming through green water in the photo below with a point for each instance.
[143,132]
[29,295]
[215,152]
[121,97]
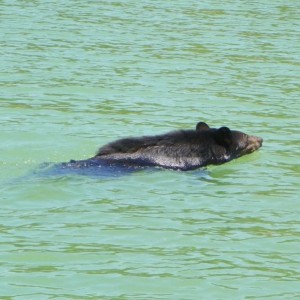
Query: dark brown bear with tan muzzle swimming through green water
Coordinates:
[179,150]
